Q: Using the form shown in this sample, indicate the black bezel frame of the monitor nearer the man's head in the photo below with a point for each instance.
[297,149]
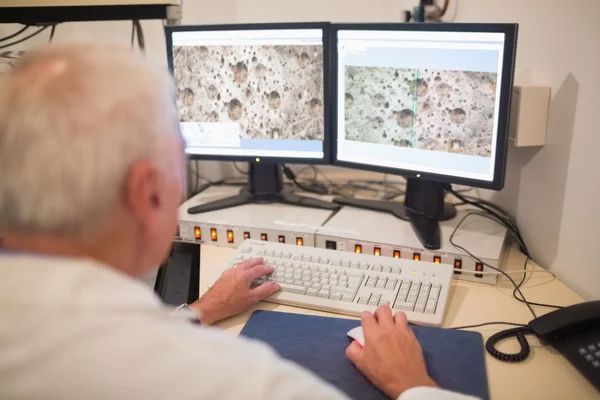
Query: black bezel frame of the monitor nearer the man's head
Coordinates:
[327,112]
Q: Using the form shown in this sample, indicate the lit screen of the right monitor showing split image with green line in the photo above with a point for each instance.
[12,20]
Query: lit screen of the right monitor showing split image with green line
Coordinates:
[421,101]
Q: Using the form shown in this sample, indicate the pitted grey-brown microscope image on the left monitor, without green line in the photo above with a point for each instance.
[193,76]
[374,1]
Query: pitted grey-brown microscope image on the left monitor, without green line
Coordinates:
[271,92]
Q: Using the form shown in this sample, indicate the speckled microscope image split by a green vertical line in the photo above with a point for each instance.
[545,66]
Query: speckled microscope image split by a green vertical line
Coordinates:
[440,110]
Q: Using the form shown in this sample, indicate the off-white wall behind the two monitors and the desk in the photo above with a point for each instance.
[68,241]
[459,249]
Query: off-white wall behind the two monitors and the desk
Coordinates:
[551,190]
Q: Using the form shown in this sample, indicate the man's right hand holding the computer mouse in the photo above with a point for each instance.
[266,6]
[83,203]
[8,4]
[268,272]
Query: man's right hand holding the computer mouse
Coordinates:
[392,358]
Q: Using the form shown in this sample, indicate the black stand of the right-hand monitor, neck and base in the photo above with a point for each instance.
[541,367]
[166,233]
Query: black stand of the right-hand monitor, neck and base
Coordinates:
[423,206]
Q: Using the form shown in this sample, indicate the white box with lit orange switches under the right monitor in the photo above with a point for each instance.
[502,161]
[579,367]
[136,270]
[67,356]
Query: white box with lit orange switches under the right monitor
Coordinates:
[381,234]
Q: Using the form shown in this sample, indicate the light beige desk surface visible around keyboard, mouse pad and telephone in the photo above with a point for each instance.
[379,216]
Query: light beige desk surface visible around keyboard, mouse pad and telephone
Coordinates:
[544,375]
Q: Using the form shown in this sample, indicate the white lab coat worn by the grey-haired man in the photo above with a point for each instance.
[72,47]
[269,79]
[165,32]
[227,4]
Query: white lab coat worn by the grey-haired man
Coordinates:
[76,329]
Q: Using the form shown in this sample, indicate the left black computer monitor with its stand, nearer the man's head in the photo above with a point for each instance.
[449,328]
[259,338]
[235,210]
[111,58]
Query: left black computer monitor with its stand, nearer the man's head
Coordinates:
[257,93]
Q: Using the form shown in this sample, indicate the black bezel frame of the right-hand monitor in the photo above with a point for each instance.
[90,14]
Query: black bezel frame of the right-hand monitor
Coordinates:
[510,31]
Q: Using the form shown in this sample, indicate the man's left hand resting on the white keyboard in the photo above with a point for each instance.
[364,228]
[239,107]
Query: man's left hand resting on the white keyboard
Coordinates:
[231,294]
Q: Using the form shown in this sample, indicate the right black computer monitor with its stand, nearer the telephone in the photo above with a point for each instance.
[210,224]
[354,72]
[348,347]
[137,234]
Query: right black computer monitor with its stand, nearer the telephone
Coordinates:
[430,102]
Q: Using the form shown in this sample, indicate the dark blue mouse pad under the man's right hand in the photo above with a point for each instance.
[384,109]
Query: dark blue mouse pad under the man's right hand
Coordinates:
[455,359]
